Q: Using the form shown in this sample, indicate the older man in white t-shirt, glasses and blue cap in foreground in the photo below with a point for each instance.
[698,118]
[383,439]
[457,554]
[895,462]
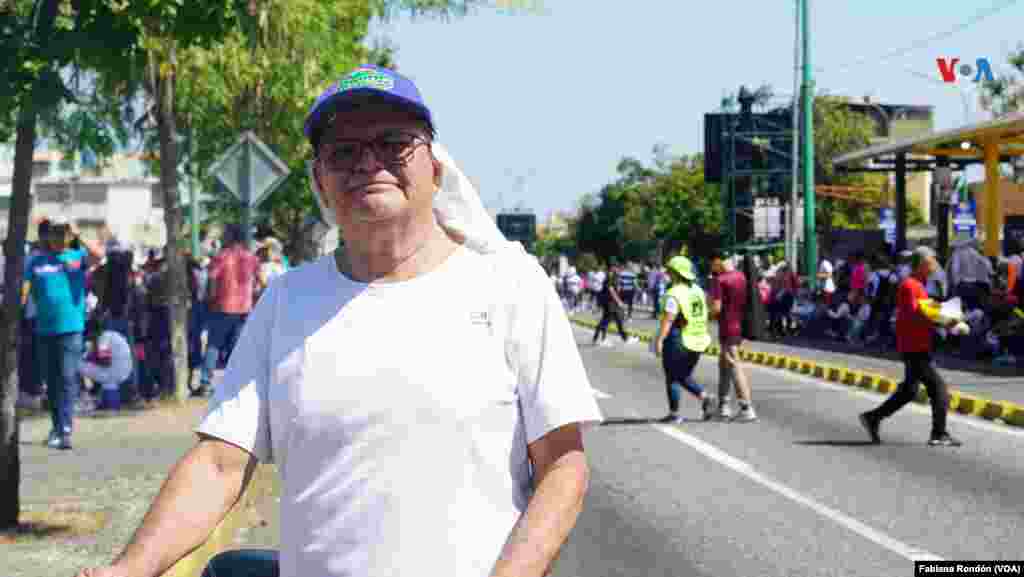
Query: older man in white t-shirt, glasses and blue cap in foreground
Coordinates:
[420,390]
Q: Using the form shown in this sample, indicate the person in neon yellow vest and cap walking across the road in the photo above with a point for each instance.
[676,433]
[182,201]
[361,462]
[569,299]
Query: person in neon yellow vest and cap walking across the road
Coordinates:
[684,337]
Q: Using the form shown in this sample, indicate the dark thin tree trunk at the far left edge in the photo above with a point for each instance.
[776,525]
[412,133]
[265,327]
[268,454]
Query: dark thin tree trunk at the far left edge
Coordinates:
[18,223]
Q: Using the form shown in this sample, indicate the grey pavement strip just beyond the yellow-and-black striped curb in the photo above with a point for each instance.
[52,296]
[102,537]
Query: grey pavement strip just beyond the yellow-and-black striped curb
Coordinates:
[1006,387]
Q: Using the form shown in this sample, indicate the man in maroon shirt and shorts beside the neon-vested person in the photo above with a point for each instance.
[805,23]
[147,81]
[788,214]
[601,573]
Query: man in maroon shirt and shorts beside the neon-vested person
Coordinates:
[729,302]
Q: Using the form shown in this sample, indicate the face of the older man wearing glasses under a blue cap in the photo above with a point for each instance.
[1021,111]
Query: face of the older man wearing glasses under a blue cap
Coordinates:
[363,187]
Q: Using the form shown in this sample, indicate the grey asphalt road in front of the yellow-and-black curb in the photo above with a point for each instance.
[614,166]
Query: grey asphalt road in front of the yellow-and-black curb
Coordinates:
[798,493]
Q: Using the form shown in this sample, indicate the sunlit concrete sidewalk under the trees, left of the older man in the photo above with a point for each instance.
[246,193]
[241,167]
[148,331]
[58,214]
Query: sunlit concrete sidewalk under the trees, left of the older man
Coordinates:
[112,476]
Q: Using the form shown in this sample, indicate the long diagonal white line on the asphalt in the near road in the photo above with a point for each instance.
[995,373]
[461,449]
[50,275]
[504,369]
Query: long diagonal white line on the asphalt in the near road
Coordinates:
[748,471]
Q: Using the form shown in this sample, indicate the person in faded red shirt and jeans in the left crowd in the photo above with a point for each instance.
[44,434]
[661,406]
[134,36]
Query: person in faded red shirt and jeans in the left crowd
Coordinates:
[232,278]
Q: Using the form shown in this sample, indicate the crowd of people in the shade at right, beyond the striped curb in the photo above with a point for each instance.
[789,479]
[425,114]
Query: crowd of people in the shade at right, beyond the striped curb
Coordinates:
[855,301]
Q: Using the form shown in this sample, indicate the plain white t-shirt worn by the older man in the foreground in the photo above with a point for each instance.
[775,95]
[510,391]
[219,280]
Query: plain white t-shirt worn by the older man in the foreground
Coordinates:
[400,414]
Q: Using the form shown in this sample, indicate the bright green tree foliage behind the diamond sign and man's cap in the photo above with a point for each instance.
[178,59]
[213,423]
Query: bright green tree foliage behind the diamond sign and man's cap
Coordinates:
[264,80]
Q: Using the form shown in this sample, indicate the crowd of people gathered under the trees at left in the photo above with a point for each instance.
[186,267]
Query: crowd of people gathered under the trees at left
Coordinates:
[96,329]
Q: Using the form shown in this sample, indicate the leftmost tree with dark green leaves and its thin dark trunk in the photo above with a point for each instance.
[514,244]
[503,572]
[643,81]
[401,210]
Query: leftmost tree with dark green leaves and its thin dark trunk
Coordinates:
[42,39]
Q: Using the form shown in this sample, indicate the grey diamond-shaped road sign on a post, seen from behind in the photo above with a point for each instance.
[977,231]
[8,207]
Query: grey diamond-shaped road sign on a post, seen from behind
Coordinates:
[249,171]
